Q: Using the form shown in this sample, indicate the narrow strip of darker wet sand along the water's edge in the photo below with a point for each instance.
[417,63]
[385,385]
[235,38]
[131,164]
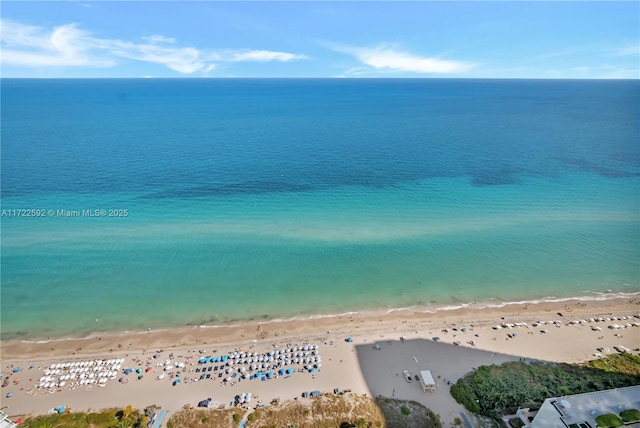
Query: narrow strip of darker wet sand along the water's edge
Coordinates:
[483,311]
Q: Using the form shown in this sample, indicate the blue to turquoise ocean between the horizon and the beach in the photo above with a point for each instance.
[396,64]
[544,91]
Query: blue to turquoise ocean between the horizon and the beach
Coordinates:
[130,204]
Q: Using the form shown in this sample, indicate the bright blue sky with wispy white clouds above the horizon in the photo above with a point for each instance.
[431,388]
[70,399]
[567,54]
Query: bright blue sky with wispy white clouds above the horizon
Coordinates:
[452,39]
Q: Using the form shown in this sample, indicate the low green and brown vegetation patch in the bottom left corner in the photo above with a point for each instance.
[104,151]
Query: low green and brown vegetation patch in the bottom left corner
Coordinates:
[110,418]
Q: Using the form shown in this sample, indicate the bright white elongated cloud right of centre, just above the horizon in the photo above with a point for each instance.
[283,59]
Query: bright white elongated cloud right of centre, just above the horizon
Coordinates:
[385,58]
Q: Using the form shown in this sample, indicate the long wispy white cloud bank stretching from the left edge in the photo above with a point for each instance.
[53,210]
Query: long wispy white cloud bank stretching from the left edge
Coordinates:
[69,46]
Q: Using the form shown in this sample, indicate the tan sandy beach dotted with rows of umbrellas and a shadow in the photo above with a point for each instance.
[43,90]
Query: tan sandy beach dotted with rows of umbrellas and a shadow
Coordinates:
[448,342]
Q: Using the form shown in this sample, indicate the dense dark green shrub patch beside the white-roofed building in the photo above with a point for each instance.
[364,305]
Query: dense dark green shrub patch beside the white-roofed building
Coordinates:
[490,390]
